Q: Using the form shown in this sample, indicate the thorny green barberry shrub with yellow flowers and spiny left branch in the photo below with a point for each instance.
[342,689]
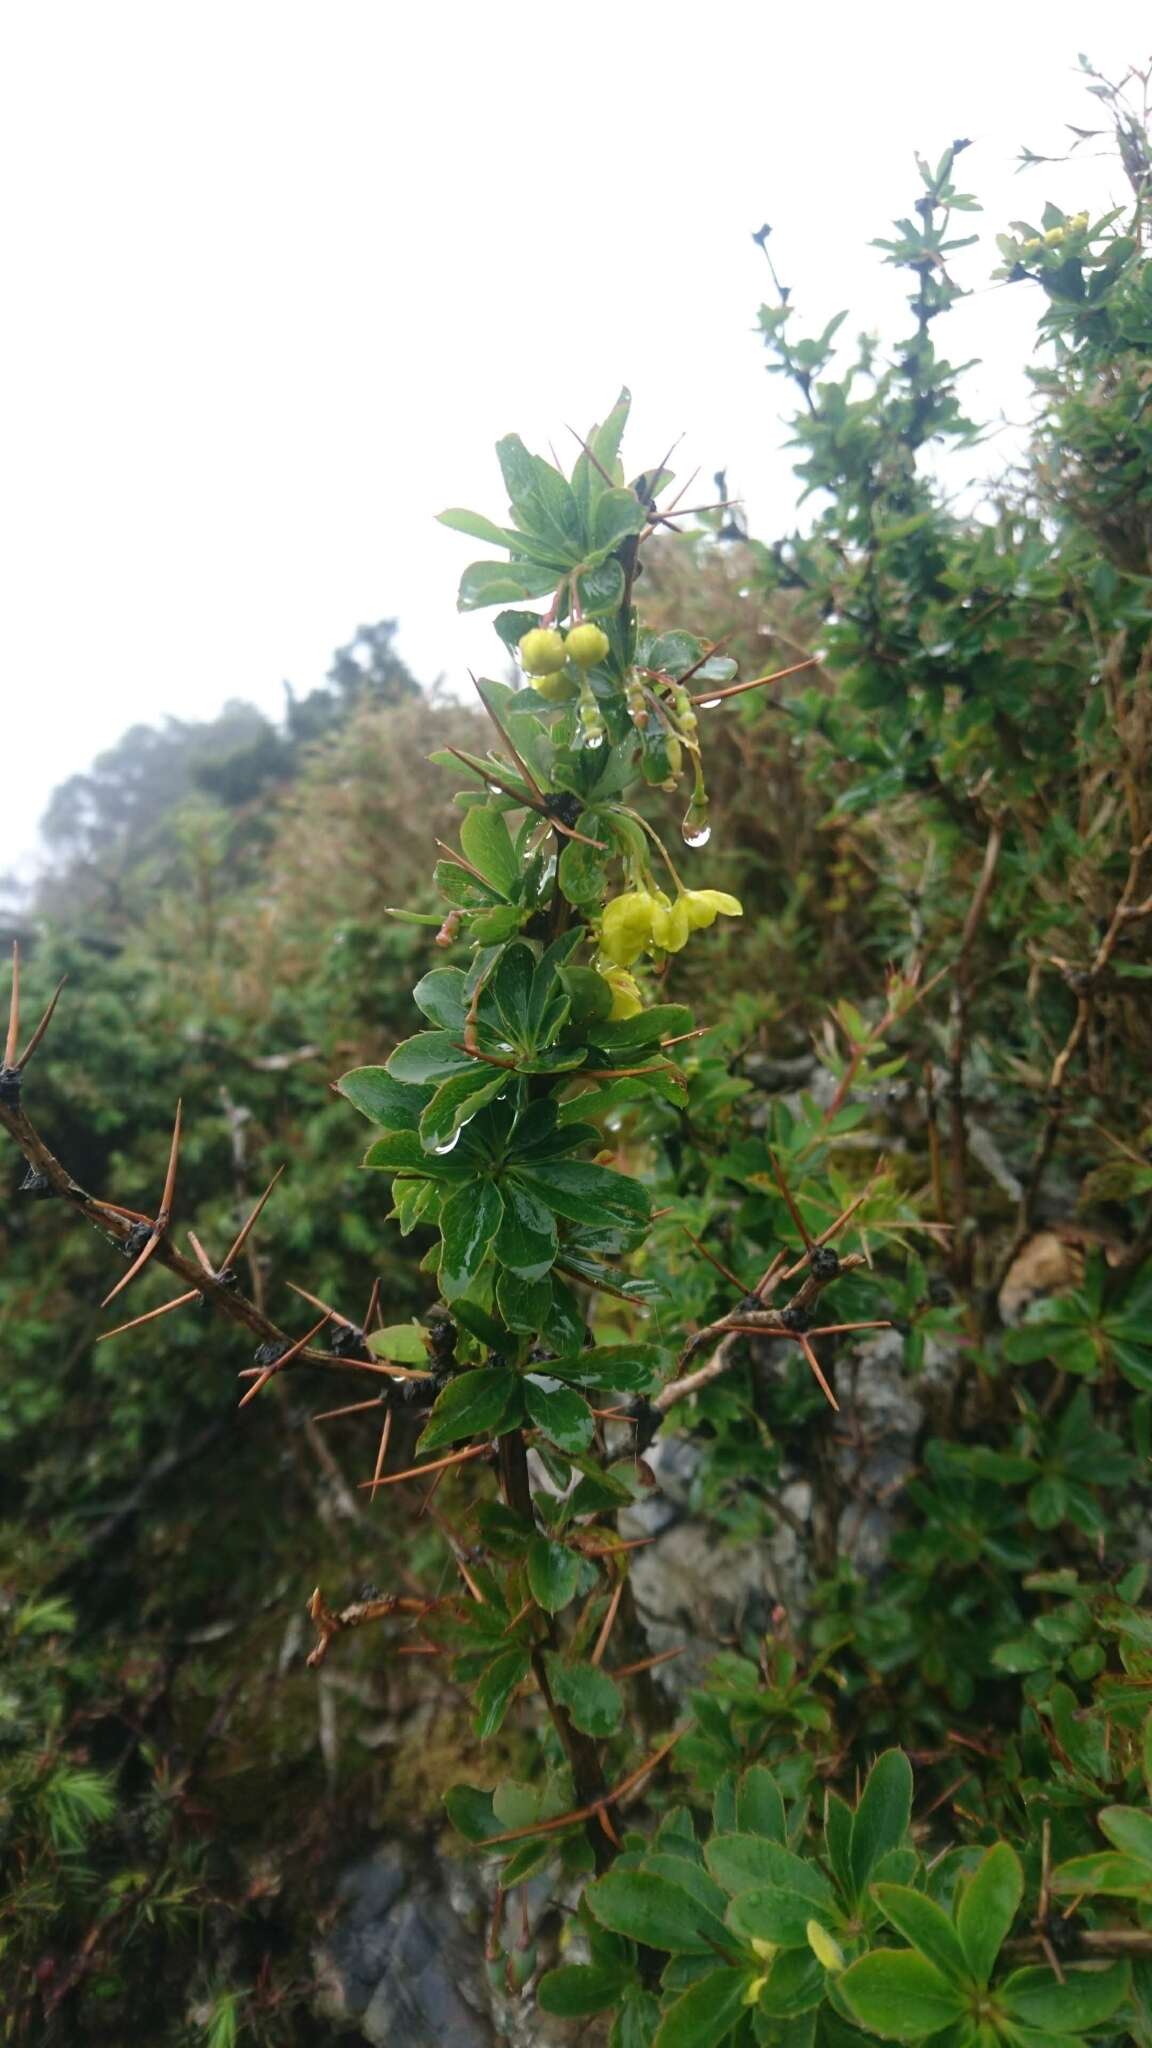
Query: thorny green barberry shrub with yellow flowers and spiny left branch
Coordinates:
[618,1234]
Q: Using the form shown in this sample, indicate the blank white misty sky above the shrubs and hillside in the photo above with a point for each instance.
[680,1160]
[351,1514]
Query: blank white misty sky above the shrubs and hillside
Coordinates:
[278,275]
